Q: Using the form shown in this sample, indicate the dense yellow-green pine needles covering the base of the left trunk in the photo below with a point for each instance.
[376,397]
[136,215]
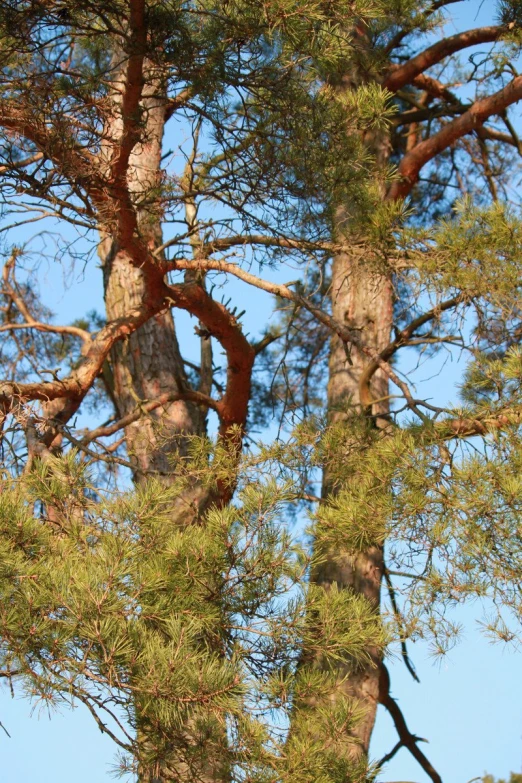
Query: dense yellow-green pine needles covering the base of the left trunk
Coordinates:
[166,633]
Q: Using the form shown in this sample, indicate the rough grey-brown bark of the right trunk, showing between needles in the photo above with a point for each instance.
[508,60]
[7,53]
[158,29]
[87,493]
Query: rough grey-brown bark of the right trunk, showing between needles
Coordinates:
[362,300]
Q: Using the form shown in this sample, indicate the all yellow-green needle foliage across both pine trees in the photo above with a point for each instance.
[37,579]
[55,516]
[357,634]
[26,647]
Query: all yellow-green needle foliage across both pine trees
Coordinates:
[182,627]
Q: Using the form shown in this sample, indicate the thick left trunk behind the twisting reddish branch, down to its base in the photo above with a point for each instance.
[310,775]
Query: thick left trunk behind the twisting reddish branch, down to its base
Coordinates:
[145,366]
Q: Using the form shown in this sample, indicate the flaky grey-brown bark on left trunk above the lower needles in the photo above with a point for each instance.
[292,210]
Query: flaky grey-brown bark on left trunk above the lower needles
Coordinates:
[149,363]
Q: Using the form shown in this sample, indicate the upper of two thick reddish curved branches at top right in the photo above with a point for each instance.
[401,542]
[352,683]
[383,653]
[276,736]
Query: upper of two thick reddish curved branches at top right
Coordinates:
[400,75]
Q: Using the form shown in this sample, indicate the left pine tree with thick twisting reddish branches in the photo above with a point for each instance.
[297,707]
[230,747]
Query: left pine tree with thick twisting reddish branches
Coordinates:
[100,610]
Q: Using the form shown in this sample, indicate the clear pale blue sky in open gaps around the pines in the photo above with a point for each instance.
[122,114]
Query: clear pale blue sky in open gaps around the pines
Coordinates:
[469,705]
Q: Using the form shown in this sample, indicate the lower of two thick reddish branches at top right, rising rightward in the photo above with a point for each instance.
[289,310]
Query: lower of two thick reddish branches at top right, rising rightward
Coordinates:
[471,120]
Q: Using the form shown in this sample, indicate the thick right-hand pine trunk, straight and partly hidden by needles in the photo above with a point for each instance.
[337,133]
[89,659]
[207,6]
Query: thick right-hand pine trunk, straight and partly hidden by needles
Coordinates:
[361,299]
